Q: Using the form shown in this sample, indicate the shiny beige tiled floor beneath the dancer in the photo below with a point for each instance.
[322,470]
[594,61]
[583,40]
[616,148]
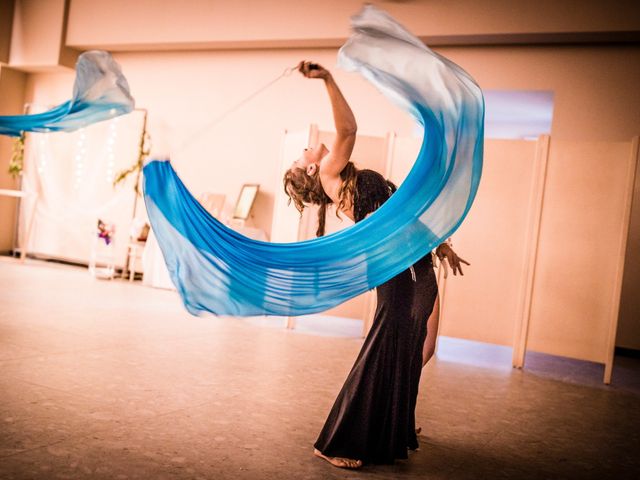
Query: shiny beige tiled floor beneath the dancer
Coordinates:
[111,380]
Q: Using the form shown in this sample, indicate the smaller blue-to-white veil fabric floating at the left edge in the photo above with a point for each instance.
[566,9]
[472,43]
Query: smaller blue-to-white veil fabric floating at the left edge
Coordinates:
[100,92]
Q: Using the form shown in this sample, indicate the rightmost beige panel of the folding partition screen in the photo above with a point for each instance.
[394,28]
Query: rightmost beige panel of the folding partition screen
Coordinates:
[577,264]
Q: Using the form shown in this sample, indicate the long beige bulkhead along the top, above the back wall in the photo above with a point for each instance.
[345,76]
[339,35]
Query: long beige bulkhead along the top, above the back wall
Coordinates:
[123,24]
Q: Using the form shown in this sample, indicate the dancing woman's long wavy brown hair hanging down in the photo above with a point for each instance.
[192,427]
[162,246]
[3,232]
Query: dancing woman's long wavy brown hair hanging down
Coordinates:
[304,189]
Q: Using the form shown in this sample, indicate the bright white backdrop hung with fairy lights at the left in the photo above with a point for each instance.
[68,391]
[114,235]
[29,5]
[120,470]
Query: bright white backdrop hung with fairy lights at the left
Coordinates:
[74,176]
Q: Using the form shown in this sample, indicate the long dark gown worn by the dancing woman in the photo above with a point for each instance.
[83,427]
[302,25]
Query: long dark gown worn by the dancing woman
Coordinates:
[373,418]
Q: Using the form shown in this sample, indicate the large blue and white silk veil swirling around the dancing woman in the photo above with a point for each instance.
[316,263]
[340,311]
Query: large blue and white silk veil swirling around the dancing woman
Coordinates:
[216,269]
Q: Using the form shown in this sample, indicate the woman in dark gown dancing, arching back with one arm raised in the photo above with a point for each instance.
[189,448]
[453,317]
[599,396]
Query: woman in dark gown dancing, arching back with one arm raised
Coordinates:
[373,417]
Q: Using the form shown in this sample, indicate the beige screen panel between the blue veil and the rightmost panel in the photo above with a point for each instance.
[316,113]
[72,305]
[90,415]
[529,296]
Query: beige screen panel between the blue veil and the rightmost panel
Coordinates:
[483,304]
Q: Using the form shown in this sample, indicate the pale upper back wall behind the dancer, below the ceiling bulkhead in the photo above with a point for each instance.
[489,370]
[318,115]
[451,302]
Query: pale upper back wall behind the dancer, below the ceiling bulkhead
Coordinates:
[188,89]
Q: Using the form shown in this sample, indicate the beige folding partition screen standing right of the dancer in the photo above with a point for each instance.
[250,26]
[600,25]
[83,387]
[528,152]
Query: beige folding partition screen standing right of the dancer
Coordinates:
[546,238]
